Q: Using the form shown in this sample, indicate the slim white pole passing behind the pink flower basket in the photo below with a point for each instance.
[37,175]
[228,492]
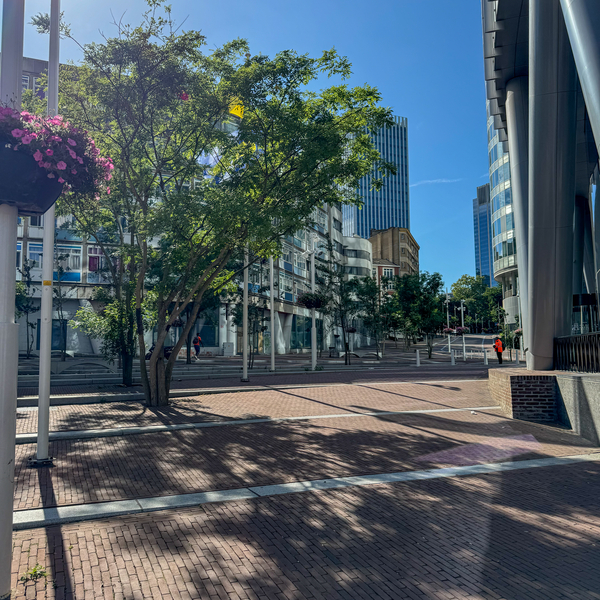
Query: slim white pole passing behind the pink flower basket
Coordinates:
[43,455]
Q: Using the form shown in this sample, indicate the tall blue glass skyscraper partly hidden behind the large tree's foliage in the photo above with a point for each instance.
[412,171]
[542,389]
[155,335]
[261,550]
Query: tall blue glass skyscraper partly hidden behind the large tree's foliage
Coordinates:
[388,207]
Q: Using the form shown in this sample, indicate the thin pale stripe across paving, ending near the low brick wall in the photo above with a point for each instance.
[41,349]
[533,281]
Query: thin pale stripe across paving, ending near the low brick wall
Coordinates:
[31,438]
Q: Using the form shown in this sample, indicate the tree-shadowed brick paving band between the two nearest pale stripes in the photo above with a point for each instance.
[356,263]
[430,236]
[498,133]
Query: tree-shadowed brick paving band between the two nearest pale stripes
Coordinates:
[179,462]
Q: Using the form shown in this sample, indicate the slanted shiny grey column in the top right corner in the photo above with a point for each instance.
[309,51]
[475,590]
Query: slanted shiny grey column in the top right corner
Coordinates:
[582,19]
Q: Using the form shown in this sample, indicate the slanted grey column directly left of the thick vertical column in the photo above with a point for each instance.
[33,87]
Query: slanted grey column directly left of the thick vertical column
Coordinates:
[517,117]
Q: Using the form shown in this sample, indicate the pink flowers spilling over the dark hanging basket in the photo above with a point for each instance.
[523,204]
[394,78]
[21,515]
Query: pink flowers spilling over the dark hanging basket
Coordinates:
[61,150]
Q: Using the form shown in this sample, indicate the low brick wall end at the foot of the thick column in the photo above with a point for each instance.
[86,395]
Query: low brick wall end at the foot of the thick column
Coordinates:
[525,395]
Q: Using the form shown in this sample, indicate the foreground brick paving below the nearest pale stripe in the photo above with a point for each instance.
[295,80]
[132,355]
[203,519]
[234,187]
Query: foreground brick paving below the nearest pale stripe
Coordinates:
[522,535]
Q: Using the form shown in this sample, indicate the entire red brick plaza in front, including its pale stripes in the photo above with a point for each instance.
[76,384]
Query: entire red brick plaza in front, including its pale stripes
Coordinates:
[452,521]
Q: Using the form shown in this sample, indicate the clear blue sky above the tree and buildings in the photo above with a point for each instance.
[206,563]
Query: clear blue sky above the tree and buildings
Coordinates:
[425,56]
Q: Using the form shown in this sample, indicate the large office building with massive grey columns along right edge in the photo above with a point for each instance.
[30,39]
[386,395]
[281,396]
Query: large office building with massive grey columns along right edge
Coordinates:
[542,72]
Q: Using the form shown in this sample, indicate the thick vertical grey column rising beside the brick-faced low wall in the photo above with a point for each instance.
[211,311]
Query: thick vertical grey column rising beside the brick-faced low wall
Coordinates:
[552,128]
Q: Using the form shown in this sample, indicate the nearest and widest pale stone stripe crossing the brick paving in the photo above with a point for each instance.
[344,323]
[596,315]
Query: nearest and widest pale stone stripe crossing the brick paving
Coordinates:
[30,519]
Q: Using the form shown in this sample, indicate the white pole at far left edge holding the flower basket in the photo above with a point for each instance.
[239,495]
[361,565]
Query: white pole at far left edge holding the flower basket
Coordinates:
[11,68]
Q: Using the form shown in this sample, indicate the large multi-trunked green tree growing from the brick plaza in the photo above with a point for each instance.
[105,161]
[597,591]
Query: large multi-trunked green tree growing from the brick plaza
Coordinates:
[194,192]
